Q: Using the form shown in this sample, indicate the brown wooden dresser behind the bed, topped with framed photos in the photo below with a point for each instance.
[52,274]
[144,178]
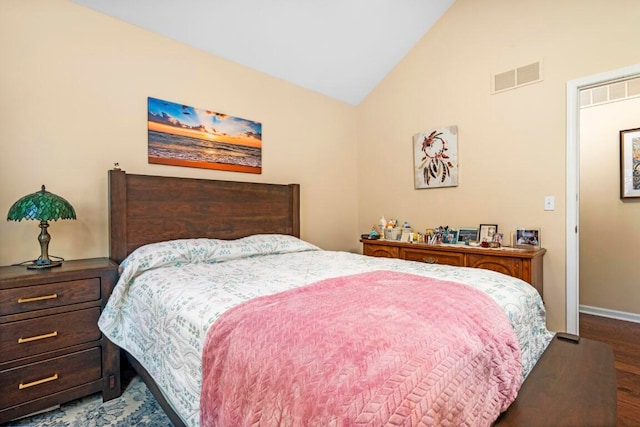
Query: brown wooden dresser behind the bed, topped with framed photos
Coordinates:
[524,264]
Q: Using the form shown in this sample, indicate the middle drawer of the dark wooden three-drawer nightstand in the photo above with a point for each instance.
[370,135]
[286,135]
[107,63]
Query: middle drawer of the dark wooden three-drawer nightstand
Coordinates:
[46,333]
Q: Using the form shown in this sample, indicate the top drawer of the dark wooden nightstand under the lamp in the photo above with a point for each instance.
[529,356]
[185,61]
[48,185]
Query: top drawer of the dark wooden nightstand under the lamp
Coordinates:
[29,298]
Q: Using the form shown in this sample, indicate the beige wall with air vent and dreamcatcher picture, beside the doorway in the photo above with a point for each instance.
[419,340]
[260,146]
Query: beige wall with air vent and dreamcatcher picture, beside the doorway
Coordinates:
[511,145]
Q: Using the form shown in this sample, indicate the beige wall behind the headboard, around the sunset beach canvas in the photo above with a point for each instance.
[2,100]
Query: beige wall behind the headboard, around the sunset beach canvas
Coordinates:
[73,100]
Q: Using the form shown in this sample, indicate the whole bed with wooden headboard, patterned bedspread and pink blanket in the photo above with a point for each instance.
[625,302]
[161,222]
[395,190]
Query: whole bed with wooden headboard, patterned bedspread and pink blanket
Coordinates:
[236,249]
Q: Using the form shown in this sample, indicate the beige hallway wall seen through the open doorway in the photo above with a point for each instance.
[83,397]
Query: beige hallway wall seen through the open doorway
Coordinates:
[609,227]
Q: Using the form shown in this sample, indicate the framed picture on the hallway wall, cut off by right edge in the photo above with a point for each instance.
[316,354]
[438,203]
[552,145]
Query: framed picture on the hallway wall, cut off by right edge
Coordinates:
[630,163]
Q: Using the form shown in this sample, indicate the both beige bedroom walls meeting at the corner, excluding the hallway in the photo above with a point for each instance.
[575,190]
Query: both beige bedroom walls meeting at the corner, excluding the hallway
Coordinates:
[74,83]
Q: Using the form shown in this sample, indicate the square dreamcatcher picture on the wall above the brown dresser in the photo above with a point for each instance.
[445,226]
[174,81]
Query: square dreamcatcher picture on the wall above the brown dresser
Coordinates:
[435,158]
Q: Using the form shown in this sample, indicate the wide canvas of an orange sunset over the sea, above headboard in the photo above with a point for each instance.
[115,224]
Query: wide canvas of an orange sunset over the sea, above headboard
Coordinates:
[180,135]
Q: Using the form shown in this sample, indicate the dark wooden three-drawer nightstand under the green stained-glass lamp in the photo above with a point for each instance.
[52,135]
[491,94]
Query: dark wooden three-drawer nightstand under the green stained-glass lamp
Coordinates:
[51,348]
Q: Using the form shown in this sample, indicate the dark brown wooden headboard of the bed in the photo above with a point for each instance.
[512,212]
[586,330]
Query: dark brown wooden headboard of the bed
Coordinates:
[145,209]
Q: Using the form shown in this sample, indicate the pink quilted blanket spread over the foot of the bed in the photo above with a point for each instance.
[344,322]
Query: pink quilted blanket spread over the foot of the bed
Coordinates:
[379,348]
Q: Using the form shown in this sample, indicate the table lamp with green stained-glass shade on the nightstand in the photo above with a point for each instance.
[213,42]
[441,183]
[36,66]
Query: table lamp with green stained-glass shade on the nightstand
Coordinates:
[43,206]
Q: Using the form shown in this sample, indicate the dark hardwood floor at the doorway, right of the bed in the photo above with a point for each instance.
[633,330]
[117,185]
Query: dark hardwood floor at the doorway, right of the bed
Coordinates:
[624,338]
